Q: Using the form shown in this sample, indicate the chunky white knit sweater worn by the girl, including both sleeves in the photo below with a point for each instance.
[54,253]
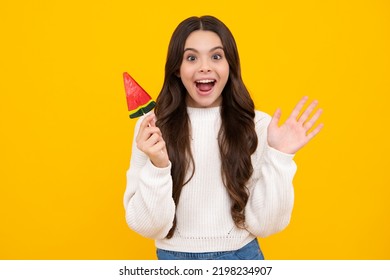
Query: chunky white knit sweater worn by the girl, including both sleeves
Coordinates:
[204,222]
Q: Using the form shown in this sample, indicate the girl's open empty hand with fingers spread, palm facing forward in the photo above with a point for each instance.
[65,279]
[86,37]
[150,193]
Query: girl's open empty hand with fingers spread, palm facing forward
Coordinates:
[293,134]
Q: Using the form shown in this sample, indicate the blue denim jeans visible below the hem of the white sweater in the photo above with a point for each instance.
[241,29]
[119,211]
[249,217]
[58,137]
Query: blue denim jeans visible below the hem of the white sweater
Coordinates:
[251,251]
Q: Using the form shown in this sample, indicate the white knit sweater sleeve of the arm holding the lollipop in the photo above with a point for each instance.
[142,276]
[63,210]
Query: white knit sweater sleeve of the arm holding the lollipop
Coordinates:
[148,202]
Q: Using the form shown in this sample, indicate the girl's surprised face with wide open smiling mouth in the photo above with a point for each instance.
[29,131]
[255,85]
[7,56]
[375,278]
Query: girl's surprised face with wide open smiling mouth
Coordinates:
[204,70]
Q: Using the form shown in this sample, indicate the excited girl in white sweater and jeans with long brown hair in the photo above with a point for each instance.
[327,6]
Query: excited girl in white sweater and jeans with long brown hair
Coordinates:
[208,172]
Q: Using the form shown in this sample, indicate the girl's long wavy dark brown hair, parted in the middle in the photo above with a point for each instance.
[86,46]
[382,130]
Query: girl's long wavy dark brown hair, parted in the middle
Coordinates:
[237,137]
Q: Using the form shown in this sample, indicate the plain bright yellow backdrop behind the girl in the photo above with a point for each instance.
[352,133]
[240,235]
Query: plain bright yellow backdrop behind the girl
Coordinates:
[66,136]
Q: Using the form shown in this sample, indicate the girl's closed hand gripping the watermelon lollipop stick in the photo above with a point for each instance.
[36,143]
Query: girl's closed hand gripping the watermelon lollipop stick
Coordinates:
[150,141]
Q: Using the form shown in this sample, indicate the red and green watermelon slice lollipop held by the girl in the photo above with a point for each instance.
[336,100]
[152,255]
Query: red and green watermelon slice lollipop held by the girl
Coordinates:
[139,101]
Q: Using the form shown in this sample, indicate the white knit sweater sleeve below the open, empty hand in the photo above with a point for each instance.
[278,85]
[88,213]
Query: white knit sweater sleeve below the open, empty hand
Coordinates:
[271,198]
